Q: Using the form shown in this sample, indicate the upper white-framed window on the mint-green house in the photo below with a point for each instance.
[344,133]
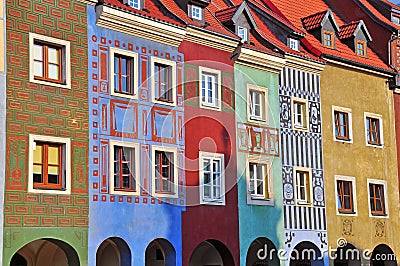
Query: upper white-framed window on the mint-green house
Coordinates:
[257,99]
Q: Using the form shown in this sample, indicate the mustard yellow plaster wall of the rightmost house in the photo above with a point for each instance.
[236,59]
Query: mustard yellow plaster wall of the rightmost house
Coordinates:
[360,92]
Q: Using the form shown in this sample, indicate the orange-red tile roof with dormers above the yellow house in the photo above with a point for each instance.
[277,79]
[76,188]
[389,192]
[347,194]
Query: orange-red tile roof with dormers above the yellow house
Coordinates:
[294,10]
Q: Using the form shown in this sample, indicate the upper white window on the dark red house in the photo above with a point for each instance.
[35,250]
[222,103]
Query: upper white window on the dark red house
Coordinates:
[210,84]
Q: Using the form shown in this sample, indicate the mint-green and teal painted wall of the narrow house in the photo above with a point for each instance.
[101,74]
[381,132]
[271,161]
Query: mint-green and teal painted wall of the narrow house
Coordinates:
[258,221]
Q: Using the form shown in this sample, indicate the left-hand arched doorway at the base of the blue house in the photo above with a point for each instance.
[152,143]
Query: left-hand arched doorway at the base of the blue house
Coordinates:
[113,252]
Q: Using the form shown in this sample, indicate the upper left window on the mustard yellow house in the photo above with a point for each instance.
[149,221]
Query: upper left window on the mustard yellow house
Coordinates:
[342,129]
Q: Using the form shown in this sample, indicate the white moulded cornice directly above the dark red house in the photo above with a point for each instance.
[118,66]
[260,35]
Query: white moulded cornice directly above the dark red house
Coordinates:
[202,37]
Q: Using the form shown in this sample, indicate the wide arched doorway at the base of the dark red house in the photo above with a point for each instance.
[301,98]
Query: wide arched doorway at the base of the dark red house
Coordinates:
[211,252]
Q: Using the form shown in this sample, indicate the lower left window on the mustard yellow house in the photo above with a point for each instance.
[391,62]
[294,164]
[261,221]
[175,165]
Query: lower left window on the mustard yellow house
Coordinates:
[345,195]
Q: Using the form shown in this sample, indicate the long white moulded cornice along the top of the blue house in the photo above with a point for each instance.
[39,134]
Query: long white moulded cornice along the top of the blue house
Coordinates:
[139,26]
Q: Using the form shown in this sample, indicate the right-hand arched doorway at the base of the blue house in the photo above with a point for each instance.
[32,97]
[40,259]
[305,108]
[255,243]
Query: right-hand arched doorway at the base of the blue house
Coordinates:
[160,252]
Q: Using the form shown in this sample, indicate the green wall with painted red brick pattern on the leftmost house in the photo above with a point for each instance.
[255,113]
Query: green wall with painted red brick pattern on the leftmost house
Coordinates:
[45,110]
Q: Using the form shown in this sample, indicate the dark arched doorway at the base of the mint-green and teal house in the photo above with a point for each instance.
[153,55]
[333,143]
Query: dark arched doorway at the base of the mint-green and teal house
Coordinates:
[262,252]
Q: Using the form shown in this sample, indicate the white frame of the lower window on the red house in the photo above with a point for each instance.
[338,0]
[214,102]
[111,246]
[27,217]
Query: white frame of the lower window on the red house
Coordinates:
[212,156]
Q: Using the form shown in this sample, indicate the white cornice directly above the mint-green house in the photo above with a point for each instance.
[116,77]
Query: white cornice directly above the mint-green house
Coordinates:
[262,61]
